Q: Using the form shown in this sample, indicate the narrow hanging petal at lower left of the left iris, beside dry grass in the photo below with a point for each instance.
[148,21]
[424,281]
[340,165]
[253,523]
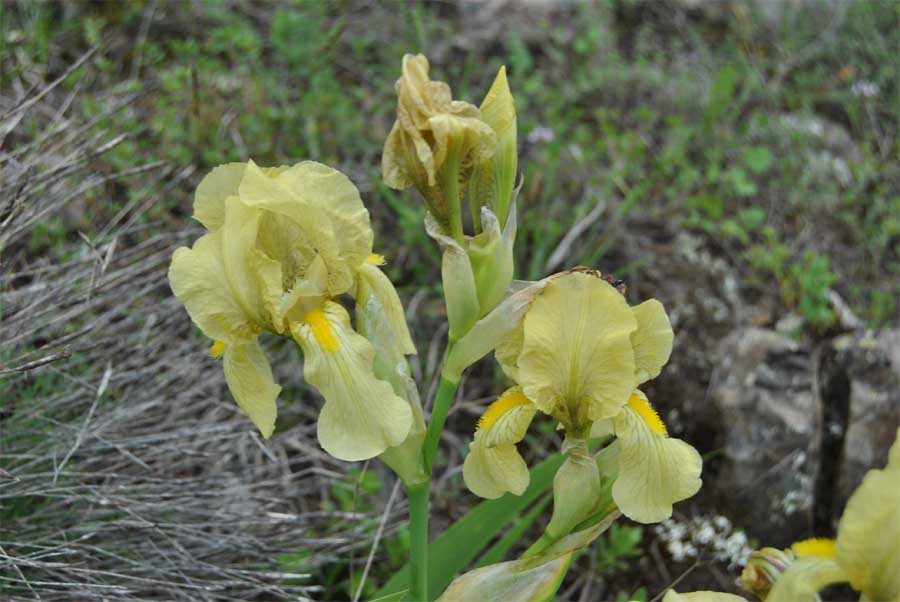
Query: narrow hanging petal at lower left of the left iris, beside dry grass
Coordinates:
[249,378]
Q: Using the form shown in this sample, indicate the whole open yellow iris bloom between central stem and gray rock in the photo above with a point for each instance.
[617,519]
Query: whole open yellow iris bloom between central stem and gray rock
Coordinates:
[578,355]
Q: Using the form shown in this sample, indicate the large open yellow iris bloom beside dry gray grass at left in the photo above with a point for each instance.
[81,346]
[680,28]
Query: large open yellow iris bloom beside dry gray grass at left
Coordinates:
[282,245]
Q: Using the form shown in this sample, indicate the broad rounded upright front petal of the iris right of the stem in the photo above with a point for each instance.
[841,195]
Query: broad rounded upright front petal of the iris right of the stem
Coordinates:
[576,361]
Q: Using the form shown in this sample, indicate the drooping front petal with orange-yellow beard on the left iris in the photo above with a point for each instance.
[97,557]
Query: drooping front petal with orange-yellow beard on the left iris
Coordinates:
[362,415]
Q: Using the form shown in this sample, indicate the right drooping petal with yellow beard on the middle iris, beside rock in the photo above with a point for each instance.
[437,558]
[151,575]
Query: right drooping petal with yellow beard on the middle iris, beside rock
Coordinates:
[655,471]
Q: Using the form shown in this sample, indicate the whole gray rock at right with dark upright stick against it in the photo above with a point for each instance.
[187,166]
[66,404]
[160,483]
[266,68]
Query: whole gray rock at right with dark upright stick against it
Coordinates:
[775,475]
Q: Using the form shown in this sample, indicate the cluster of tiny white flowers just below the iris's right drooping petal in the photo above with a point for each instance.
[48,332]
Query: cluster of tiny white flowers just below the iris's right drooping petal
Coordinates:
[702,534]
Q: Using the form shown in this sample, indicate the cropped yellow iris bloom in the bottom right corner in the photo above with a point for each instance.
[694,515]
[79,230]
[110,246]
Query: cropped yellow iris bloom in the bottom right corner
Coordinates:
[866,552]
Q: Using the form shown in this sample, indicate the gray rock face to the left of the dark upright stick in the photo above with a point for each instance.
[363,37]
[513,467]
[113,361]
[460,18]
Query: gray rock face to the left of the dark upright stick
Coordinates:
[762,388]
